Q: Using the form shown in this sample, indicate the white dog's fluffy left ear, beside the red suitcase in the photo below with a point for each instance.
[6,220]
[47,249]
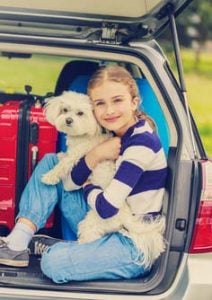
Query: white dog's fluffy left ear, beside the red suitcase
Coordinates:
[52,109]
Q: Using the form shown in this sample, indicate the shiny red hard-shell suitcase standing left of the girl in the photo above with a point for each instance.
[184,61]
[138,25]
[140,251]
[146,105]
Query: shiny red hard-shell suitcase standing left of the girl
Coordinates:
[25,136]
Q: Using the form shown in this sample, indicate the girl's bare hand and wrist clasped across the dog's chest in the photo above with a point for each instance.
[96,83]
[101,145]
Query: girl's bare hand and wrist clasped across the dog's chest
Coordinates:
[108,149]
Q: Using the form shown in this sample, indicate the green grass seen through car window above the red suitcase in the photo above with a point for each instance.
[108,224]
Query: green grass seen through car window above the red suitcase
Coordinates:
[39,72]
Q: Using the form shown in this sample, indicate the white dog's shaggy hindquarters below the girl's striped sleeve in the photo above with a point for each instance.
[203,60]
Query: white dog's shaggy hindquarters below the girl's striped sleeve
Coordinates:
[147,235]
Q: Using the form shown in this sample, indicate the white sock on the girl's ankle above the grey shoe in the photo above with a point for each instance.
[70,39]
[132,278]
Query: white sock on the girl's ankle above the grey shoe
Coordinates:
[20,237]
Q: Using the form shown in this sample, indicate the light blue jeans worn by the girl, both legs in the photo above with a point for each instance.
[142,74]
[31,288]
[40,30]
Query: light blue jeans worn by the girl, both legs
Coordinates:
[113,256]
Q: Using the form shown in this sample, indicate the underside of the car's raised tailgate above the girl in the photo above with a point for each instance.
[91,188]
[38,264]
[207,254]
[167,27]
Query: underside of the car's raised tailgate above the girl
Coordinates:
[100,20]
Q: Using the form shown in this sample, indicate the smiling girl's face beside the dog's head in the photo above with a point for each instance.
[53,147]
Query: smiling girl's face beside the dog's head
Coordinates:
[114,107]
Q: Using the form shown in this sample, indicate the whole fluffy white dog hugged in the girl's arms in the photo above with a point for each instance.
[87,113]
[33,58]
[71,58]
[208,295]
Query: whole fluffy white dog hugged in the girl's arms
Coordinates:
[72,114]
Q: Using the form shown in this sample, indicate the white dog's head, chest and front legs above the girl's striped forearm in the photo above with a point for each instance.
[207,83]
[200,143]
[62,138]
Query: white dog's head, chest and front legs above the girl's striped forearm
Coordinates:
[72,114]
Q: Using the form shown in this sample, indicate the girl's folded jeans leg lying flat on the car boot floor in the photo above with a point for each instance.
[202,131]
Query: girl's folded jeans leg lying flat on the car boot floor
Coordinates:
[111,257]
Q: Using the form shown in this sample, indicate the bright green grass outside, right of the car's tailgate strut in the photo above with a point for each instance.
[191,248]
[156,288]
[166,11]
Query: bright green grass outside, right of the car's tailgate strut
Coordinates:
[199,90]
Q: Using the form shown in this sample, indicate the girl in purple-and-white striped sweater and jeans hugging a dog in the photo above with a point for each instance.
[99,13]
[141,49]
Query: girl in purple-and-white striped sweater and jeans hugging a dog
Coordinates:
[139,180]
